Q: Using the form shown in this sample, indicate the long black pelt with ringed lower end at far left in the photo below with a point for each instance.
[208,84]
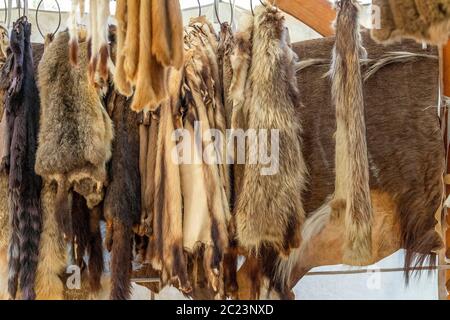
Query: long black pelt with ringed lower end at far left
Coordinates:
[22,116]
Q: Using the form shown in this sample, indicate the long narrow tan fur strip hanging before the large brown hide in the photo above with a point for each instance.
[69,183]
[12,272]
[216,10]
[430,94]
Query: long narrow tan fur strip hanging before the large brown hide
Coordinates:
[352,192]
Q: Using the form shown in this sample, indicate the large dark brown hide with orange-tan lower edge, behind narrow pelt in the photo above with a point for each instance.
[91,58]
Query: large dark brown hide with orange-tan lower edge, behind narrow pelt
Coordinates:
[405,176]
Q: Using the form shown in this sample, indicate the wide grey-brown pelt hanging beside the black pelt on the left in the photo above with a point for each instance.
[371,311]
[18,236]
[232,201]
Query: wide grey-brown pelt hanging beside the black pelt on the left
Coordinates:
[75,133]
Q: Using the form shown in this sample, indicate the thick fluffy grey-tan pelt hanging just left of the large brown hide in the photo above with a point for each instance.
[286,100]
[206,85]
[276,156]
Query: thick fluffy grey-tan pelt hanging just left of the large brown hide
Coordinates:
[269,210]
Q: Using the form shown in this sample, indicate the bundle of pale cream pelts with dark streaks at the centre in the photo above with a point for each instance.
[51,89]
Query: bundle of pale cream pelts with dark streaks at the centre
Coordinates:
[205,219]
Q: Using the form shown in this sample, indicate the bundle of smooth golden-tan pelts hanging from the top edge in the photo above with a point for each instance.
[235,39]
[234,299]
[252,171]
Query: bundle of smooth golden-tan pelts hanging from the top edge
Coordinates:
[149,43]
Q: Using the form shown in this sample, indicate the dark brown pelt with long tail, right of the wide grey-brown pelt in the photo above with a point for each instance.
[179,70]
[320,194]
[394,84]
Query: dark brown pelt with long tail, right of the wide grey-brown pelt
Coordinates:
[122,204]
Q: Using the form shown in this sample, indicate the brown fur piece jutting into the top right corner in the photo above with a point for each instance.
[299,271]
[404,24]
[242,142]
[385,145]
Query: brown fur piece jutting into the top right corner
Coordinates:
[422,20]
